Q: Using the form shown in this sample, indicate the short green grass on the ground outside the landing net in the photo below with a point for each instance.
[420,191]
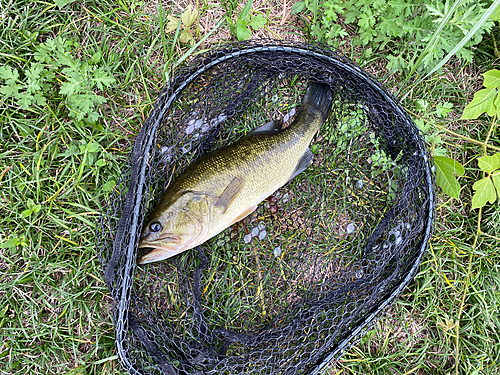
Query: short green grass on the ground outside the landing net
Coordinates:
[54,305]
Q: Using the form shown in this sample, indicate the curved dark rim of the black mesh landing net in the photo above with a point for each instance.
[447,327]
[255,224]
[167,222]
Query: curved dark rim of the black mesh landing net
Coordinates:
[117,240]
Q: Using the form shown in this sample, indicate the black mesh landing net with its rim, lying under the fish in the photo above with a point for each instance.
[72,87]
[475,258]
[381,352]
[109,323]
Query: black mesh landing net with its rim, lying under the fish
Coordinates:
[287,289]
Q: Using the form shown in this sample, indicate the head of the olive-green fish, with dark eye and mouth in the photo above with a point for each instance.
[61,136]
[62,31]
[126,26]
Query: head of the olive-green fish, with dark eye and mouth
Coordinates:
[180,225]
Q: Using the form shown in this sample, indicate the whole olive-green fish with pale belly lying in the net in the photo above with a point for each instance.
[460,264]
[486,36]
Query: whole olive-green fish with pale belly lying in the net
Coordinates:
[226,185]
